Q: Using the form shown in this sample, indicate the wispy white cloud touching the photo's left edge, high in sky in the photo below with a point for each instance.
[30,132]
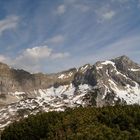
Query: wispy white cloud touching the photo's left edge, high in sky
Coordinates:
[10,22]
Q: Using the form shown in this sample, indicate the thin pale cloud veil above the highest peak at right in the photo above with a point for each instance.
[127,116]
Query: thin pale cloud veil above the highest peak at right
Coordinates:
[125,46]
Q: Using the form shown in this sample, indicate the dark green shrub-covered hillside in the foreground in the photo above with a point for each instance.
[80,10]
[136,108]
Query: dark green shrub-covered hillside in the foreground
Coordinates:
[107,123]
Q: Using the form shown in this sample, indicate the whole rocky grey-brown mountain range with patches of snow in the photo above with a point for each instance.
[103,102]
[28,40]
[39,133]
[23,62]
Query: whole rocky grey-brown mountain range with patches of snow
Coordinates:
[111,82]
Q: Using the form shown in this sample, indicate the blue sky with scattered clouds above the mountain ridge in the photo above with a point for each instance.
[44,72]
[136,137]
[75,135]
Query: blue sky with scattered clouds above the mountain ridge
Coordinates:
[55,35]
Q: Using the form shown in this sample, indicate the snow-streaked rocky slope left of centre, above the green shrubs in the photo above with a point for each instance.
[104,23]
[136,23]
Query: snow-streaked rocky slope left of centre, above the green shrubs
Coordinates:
[46,100]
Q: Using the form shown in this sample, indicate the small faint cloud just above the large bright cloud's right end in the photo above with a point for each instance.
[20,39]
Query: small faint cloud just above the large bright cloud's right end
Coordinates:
[58,39]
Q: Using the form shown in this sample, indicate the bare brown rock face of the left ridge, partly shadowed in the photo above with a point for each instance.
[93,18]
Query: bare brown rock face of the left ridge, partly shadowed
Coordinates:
[12,80]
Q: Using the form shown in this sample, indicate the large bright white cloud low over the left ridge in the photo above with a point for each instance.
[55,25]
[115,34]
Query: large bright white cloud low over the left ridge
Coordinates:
[33,59]
